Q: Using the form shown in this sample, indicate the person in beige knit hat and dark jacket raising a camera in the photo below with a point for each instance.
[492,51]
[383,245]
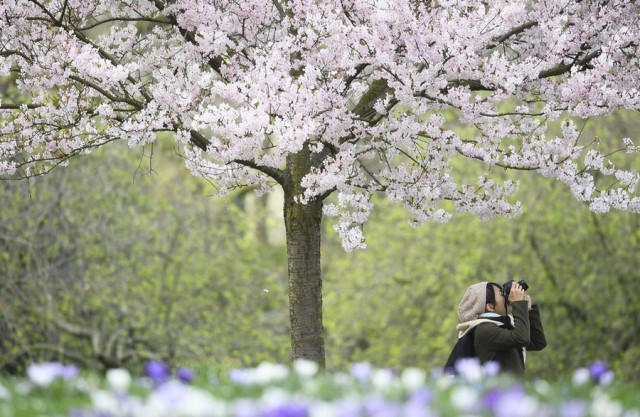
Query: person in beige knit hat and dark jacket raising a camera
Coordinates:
[504,322]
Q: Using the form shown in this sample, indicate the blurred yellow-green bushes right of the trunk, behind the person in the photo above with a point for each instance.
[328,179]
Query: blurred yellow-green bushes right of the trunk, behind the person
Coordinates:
[395,303]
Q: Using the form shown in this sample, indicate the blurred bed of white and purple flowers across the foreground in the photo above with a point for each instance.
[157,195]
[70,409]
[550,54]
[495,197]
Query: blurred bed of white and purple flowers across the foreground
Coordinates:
[304,390]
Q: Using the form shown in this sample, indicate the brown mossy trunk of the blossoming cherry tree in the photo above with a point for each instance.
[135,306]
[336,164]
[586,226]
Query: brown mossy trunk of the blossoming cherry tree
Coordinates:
[303,230]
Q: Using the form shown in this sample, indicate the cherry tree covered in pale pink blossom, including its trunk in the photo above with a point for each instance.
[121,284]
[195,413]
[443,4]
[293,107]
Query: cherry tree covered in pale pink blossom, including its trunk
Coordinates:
[342,97]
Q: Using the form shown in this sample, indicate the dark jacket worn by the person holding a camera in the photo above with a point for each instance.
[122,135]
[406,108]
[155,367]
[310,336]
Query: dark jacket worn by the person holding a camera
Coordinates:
[504,343]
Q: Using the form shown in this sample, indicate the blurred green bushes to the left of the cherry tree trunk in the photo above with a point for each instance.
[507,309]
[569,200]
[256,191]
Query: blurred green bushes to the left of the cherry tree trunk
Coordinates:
[105,264]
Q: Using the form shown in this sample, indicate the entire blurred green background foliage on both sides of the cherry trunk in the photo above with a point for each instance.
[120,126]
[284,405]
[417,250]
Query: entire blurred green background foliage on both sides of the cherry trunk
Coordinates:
[124,256]
